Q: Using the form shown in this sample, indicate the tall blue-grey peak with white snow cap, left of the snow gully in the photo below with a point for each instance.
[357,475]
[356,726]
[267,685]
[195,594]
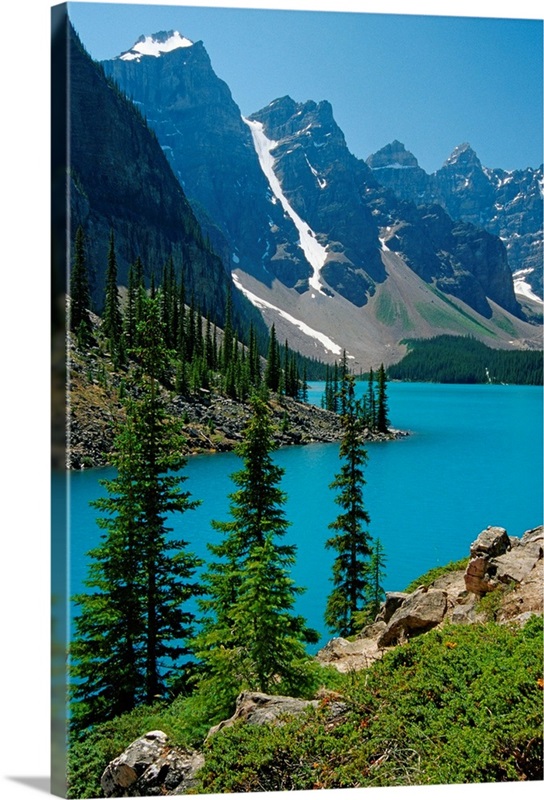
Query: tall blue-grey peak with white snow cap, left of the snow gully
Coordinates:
[210,148]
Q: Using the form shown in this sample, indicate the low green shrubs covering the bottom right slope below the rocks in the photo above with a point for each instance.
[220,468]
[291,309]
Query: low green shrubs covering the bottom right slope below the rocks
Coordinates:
[459,705]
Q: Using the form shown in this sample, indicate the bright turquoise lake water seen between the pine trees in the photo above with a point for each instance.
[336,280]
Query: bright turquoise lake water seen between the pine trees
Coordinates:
[473,459]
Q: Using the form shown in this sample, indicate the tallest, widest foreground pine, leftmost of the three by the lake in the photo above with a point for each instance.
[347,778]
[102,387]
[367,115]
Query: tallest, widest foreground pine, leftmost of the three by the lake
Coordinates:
[131,629]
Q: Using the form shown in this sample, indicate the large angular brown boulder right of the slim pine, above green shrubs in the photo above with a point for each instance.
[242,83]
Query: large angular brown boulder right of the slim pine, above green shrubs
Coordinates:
[420,612]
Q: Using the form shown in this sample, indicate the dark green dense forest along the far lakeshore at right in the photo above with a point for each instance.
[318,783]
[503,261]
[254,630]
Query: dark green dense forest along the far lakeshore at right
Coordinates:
[459,359]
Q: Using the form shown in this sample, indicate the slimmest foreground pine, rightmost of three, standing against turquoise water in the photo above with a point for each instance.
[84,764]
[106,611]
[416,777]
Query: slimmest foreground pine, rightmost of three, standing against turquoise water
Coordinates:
[351,540]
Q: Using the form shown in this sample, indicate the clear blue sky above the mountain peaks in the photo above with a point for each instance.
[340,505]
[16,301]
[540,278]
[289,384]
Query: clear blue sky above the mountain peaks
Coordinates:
[432,82]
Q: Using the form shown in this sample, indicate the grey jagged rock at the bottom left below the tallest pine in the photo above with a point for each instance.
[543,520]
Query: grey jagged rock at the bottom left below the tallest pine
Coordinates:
[150,767]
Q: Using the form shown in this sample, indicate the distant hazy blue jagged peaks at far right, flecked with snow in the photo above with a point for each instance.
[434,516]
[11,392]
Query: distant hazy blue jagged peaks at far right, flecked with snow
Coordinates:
[505,203]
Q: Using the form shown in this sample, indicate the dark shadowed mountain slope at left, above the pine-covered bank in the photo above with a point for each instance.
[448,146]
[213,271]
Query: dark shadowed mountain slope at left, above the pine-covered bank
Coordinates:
[120,179]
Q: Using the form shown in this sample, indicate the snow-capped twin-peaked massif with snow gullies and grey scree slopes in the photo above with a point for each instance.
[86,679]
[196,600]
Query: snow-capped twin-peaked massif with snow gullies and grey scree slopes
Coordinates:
[314,240]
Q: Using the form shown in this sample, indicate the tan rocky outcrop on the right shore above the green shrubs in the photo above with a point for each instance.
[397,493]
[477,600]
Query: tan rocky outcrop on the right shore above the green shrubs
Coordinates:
[512,567]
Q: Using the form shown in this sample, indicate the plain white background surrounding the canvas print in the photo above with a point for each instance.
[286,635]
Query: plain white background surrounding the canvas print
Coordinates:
[24,392]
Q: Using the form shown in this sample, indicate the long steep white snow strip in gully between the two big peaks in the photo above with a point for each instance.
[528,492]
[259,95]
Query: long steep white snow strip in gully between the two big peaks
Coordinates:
[314,252]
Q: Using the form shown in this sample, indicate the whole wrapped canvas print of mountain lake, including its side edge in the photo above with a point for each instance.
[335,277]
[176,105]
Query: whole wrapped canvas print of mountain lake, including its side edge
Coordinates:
[297,384]
